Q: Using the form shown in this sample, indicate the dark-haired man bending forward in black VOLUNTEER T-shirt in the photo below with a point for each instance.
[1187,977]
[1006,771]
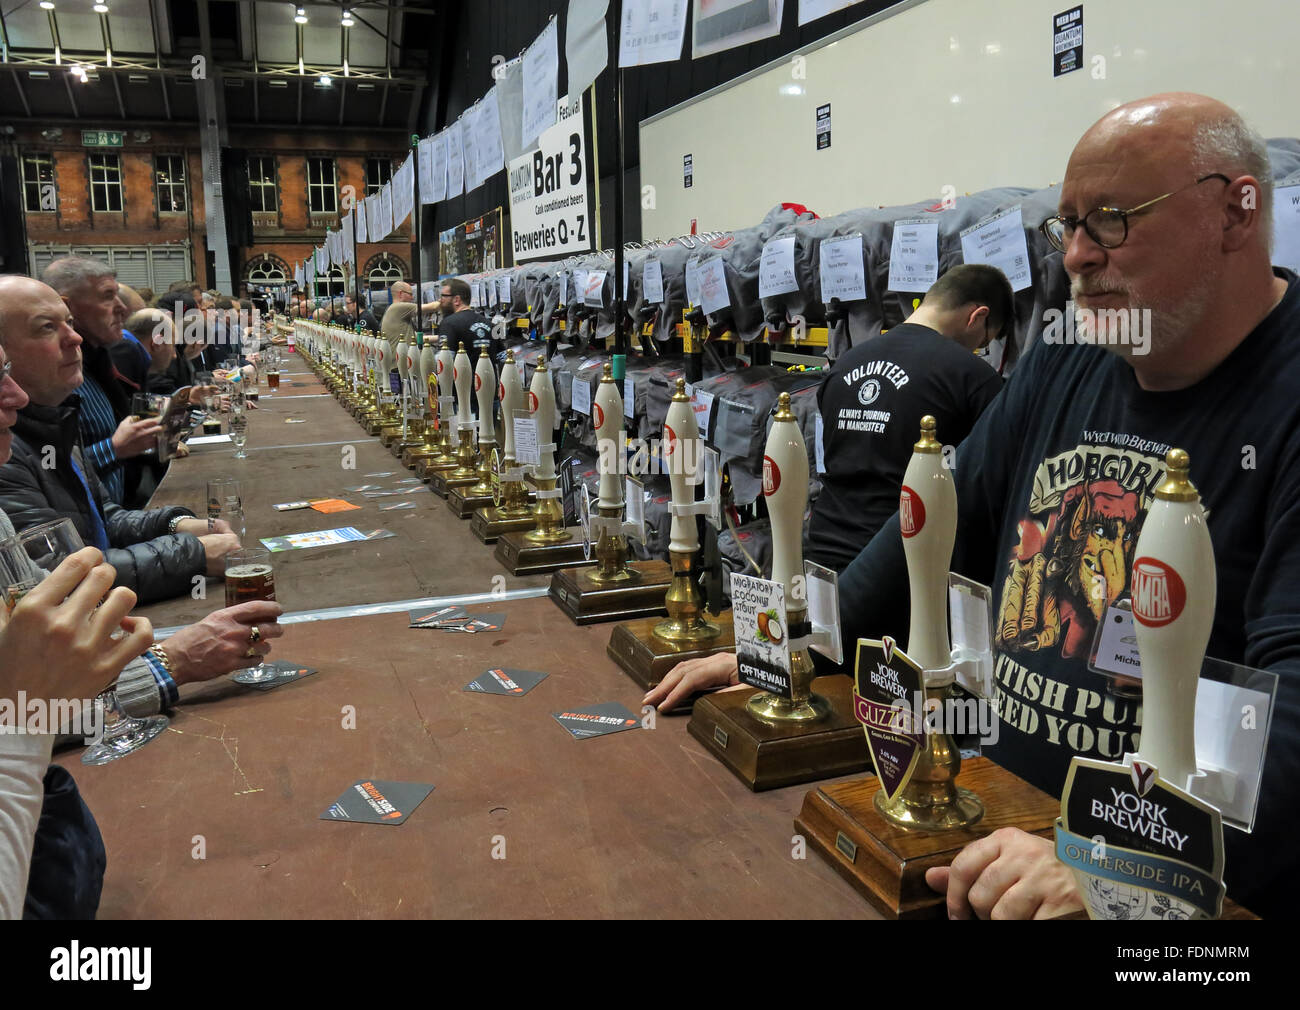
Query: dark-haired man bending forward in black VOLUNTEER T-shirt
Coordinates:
[876,396]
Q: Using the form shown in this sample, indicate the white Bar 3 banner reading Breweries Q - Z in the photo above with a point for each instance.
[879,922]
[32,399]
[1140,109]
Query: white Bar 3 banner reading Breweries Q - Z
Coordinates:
[549,202]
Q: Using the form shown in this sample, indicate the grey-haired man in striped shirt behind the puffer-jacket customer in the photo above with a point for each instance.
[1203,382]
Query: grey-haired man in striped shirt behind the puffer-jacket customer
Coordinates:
[111,435]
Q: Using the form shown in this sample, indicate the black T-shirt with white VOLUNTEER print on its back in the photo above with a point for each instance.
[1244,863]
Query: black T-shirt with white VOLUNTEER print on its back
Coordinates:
[872,406]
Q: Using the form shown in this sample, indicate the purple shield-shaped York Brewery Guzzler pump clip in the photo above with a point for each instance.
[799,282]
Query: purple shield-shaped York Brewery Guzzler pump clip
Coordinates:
[886,687]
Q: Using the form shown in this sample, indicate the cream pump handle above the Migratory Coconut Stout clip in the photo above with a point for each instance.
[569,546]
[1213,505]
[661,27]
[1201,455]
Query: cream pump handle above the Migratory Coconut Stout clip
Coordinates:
[786,487]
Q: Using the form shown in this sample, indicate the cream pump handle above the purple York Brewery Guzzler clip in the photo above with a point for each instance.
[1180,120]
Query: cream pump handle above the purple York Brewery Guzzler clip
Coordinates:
[928,517]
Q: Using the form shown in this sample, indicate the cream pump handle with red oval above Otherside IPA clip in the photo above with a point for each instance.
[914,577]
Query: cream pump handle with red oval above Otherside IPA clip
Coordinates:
[1173,604]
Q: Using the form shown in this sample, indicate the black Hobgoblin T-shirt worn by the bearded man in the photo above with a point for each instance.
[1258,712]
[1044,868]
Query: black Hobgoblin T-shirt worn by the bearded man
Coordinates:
[1054,486]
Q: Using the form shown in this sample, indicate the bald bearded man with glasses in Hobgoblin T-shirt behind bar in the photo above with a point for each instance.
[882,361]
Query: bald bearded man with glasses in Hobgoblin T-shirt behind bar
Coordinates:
[1165,209]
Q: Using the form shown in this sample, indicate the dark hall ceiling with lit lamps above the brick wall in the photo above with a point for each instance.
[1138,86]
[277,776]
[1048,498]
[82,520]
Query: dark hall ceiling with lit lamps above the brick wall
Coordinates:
[142,57]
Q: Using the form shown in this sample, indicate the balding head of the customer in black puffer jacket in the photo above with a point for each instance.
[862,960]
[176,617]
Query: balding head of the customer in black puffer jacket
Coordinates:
[37,335]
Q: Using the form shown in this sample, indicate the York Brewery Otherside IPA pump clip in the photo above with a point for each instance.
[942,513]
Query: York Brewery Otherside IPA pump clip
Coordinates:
[1139,847]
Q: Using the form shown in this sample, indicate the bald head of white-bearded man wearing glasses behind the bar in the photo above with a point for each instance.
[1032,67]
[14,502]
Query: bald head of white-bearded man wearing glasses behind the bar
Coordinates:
[1188,258]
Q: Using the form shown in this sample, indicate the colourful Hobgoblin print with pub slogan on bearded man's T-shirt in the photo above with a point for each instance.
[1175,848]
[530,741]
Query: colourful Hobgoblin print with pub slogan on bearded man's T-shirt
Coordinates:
[1071,558]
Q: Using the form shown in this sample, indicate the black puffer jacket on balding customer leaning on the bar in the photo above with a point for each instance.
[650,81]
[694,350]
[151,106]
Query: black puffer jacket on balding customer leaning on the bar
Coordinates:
[150,561]
